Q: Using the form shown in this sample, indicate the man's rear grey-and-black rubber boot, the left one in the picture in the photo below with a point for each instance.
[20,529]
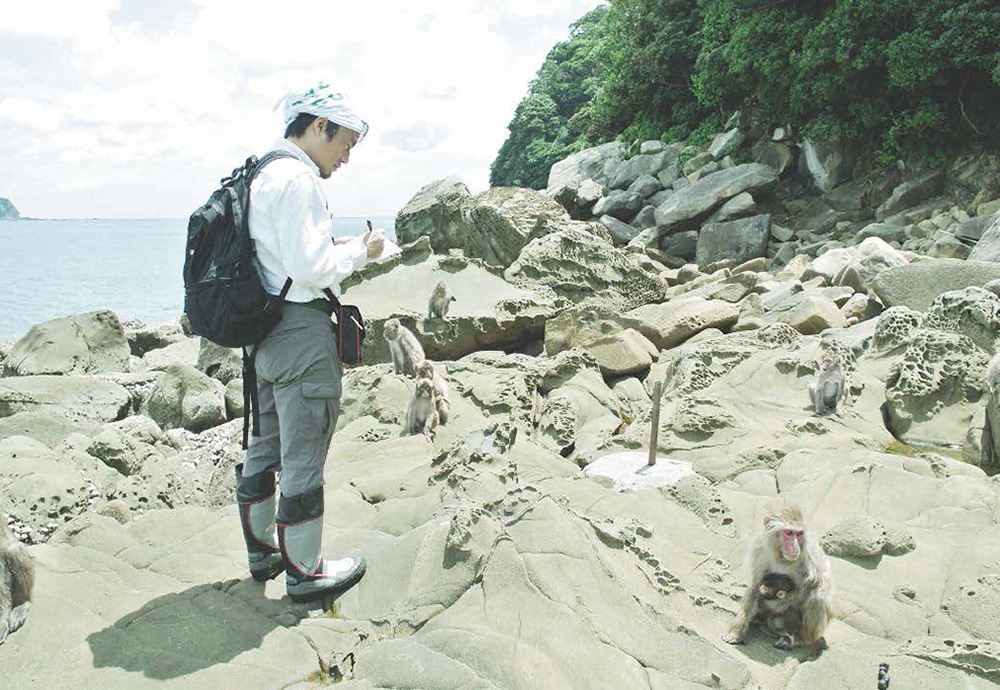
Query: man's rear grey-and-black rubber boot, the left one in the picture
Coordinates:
[257,503]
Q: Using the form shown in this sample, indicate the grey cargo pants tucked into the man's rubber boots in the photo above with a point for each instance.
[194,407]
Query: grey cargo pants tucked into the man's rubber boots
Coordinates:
[299,384]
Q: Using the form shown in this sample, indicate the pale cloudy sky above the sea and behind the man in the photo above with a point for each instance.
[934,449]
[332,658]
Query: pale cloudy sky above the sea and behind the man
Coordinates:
[136,108]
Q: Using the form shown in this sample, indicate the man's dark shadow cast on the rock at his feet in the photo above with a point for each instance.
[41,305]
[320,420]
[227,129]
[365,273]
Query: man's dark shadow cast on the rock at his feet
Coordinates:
[183,632]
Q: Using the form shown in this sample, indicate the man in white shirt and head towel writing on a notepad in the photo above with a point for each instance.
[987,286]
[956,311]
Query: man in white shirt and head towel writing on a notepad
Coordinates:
[298,367]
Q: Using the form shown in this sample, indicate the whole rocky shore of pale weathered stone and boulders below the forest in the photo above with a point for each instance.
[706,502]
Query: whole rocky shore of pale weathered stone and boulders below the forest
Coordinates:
[495,560]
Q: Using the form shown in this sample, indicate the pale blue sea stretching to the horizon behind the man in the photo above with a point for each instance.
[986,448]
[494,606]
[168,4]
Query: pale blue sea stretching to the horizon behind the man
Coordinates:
[53,267]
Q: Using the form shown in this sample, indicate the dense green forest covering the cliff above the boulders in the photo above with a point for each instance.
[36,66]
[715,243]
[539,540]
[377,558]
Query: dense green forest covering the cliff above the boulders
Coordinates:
[903,78]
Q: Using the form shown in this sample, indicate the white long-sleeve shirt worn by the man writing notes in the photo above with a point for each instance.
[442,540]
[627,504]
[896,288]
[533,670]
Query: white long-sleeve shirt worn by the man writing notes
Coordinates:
[292,230]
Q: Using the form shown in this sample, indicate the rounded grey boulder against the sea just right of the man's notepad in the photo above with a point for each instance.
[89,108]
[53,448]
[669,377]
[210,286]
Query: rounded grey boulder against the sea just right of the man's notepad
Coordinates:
[435,211]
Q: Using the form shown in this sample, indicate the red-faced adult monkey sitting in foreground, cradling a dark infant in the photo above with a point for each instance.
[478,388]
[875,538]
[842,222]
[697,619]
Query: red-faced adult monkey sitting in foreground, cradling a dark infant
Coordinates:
[783,548]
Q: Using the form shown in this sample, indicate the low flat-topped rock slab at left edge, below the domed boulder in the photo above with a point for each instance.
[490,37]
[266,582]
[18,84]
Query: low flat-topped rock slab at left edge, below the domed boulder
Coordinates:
[85,398]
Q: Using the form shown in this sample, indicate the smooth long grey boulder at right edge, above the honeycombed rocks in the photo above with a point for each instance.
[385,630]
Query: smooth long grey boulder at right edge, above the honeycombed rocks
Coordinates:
[916,285]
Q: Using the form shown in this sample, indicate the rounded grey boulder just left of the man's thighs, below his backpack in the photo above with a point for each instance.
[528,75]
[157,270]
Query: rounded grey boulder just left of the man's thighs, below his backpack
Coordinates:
[185,398]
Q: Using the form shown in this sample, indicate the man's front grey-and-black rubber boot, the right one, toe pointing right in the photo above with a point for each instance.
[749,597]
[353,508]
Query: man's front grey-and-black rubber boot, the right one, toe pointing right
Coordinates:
[308,575]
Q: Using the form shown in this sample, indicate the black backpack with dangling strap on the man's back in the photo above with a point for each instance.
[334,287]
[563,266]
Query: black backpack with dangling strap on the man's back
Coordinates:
[223,296]
